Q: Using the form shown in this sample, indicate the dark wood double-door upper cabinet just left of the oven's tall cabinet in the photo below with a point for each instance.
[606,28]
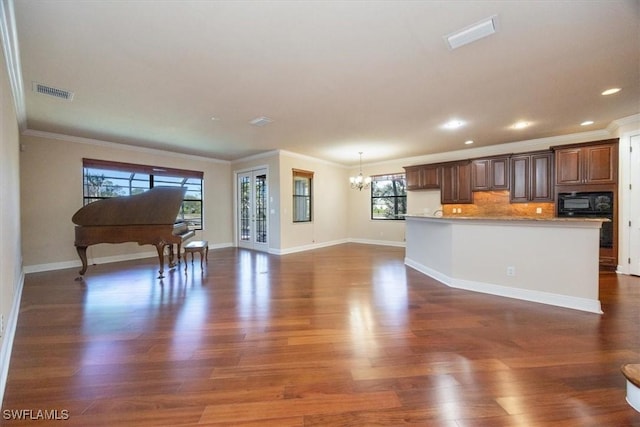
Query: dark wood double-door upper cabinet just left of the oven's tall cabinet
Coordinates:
[532,177]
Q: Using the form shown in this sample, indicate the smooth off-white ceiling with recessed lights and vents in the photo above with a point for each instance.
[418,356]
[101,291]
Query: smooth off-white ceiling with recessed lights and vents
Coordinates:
[335,77]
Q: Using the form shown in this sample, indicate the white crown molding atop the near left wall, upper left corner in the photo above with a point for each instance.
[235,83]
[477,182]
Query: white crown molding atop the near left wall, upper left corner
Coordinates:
[11,50]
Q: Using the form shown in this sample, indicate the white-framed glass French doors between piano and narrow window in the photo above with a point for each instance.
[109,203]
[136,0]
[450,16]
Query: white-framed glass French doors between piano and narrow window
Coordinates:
[253,209]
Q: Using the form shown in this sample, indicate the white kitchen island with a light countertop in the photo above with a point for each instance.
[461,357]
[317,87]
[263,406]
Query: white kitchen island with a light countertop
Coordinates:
[548,260]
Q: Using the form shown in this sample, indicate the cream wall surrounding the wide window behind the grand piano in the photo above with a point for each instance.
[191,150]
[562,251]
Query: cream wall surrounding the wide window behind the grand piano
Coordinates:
[51,192]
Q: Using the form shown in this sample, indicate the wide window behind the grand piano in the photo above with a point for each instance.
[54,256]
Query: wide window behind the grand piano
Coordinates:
[104,179]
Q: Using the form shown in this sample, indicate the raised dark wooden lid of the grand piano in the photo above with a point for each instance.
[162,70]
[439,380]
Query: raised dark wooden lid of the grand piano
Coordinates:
[159,205]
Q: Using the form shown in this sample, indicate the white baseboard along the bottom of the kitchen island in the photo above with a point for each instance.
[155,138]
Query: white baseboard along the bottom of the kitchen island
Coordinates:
[576,303]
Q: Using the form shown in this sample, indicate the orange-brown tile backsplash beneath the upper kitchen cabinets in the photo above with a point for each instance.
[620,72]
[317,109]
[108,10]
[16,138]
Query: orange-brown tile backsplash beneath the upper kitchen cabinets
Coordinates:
[496,203]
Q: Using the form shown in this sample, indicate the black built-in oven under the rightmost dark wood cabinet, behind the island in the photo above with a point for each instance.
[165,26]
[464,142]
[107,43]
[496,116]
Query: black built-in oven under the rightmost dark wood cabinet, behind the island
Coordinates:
[589,205]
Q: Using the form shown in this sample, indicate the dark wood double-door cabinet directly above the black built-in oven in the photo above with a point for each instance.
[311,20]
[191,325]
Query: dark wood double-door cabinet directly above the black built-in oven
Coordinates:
[587,164]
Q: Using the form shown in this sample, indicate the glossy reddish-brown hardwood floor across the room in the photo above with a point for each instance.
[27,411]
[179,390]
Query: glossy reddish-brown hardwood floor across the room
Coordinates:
[341,336]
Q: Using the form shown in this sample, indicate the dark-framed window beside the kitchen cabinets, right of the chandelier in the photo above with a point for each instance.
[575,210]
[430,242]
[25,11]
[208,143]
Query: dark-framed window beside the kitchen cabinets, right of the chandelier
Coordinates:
[388,196]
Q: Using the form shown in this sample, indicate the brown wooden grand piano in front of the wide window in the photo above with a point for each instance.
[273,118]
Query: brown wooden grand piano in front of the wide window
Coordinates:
[147,218]
